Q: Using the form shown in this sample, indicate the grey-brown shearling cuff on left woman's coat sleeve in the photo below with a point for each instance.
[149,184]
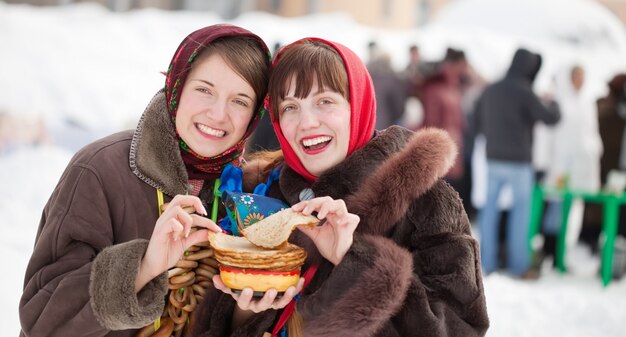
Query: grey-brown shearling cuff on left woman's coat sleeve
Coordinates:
[112,288]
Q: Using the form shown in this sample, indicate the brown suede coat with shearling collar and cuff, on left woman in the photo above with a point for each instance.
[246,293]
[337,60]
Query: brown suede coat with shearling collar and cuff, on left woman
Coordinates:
[94,231]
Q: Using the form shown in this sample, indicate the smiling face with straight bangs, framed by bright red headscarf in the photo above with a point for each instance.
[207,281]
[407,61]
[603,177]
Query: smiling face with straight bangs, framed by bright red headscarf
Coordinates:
[317,127]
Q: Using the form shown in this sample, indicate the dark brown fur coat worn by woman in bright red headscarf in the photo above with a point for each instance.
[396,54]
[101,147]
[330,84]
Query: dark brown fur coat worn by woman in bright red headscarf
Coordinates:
[413,269]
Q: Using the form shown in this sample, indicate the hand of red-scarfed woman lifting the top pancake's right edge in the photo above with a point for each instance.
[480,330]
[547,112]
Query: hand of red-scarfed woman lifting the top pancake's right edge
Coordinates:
[334,237]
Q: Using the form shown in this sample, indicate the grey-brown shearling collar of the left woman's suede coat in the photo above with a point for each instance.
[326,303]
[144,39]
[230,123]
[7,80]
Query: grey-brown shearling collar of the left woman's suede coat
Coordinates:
[154,151]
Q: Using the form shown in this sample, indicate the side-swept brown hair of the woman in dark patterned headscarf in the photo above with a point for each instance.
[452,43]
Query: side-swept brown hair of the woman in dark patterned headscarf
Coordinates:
[246,56]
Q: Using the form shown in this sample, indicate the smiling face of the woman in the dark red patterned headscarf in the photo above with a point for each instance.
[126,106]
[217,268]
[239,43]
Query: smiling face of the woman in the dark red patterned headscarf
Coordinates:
[215,107]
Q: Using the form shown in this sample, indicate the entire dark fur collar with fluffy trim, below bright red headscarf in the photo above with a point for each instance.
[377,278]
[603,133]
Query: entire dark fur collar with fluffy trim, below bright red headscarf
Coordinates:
[379,181]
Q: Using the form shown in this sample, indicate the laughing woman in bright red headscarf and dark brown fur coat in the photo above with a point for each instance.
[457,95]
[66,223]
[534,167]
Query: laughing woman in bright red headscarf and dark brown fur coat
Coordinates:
[395,255]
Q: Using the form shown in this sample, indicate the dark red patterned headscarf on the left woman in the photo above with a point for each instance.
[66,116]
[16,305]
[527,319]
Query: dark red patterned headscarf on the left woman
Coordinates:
[199,167]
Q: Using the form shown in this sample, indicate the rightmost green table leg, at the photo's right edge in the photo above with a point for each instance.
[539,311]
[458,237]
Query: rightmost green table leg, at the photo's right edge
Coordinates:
[611,217]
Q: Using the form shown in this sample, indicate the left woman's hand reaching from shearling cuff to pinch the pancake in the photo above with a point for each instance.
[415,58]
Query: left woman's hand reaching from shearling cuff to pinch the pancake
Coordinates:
[171,237]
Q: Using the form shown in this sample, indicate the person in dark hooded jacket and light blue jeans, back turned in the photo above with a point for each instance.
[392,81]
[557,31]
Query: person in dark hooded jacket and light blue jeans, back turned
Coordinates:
[506,114]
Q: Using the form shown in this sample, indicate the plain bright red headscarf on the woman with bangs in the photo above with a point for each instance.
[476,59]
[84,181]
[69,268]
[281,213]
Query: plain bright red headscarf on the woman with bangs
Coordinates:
[362,107]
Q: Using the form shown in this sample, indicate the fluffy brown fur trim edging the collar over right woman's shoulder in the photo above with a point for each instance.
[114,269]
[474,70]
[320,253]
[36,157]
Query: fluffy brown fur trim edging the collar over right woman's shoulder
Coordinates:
[426,158]
